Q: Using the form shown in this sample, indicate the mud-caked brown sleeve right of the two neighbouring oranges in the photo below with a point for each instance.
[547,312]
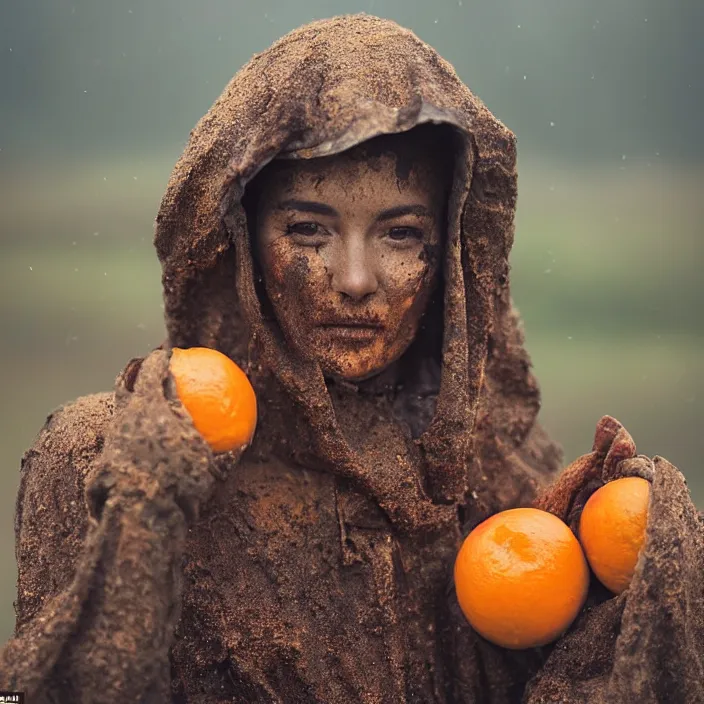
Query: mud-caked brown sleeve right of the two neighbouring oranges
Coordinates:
[646,645]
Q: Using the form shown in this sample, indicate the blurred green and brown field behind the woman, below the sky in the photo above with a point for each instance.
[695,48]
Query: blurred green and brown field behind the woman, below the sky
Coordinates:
[606,272]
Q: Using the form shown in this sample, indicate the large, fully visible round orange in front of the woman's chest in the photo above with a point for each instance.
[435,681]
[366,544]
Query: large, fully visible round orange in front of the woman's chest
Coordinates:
[521,578]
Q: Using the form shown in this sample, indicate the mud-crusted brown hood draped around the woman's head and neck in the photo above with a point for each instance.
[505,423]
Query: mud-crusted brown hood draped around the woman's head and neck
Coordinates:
[319,90]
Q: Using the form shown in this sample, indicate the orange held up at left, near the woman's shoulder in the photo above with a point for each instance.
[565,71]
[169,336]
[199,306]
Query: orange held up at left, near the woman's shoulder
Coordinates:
[217,395]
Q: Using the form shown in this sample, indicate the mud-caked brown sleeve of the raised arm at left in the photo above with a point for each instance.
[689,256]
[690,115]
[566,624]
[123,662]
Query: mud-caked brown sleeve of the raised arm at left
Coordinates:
[100,532]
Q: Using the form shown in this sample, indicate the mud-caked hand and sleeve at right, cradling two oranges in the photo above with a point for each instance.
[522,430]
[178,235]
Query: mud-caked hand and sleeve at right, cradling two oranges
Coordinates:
[647,643]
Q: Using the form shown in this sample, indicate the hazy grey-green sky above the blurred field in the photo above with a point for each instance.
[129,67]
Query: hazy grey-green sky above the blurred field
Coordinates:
[573,79]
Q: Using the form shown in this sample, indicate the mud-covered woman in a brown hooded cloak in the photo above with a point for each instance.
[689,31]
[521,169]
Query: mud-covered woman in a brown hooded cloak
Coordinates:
[340,225]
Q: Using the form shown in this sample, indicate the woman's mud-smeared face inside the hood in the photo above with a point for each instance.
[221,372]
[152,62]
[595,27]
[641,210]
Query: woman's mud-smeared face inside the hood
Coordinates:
[349,248]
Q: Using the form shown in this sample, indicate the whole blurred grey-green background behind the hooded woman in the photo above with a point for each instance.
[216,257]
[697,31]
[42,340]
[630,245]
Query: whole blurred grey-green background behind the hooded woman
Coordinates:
[606,99]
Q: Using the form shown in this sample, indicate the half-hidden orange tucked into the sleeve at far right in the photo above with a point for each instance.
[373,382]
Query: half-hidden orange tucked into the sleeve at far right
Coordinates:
[612,530]
